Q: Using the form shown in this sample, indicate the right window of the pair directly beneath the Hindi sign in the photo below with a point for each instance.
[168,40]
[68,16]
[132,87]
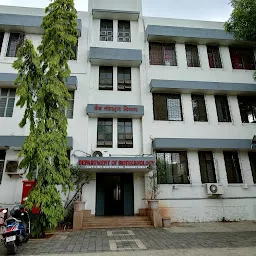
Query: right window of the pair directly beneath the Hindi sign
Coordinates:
[125,134]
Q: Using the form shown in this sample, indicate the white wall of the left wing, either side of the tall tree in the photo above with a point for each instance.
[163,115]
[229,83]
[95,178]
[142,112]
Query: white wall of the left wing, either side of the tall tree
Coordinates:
[11,188]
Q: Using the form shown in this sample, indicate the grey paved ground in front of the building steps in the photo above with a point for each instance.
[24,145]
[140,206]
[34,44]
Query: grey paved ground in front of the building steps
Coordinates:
[181,239]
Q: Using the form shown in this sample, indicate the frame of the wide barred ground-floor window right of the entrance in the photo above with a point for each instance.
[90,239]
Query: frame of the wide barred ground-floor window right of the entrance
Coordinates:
[170,177]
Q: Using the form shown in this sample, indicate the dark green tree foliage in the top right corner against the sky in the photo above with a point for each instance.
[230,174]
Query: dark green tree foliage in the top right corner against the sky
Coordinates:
[242,21]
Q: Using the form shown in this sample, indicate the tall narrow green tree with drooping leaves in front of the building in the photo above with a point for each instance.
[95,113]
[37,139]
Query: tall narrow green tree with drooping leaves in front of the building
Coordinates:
[42,91]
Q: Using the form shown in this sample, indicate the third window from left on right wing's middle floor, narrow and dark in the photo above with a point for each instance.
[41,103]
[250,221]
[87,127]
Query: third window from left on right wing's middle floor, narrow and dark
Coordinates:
[222,107]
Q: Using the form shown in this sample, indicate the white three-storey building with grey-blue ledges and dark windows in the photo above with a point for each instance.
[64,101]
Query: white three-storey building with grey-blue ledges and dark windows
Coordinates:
[144,90]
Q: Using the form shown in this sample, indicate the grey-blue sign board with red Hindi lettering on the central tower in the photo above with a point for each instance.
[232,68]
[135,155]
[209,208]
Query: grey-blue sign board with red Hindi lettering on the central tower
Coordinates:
[96,110]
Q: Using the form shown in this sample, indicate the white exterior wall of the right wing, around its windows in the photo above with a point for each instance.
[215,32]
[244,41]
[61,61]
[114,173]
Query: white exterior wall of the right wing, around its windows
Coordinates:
[190,203]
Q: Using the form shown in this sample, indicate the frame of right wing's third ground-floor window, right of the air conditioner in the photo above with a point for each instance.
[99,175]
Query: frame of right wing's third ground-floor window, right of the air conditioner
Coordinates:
[236,170]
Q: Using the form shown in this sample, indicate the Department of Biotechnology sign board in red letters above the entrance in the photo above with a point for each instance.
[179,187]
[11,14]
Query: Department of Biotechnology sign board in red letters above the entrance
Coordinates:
[116,162]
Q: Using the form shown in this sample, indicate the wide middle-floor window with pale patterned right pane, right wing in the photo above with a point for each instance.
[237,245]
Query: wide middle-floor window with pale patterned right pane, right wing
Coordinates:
[167,107]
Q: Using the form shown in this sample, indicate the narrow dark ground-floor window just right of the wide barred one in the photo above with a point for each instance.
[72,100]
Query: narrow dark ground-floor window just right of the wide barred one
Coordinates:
[207,168]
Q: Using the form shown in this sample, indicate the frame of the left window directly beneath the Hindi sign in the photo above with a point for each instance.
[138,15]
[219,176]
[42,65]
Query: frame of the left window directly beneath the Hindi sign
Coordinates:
[106,143]
